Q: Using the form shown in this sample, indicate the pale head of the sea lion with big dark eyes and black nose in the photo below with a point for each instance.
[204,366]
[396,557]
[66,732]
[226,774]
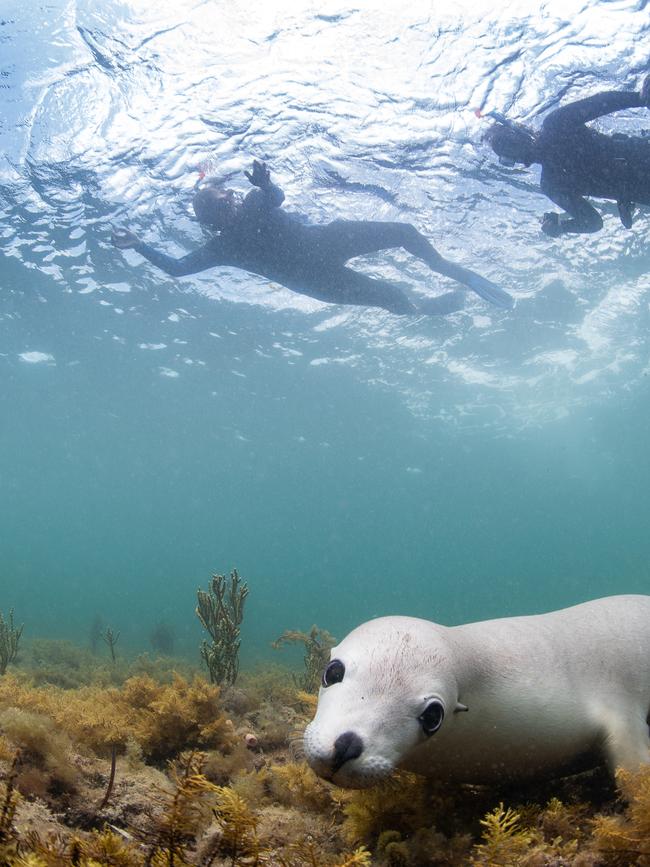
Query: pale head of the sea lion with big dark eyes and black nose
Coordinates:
[387,689]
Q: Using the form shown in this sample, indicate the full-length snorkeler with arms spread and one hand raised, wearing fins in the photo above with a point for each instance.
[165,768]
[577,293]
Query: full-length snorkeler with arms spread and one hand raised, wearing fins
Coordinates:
[255,235]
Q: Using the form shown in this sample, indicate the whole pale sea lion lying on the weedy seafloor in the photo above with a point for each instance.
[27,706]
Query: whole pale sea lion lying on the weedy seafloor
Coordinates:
[486,702]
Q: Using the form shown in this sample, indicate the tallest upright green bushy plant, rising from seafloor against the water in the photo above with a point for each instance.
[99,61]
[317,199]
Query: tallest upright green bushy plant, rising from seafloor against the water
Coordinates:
[221,610]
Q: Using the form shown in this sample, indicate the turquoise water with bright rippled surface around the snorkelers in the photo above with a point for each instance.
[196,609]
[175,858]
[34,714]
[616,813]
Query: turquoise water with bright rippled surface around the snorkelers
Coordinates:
[349,463]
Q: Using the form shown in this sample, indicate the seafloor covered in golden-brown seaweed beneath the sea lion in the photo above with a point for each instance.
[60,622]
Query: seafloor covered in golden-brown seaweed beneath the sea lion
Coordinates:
[144,762]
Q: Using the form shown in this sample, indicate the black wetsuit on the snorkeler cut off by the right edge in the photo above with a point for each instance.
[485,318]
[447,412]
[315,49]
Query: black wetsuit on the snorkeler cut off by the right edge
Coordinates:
[578,161]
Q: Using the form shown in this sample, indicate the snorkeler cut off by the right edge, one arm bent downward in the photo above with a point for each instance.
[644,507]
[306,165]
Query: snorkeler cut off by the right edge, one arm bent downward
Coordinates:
[578,161]
